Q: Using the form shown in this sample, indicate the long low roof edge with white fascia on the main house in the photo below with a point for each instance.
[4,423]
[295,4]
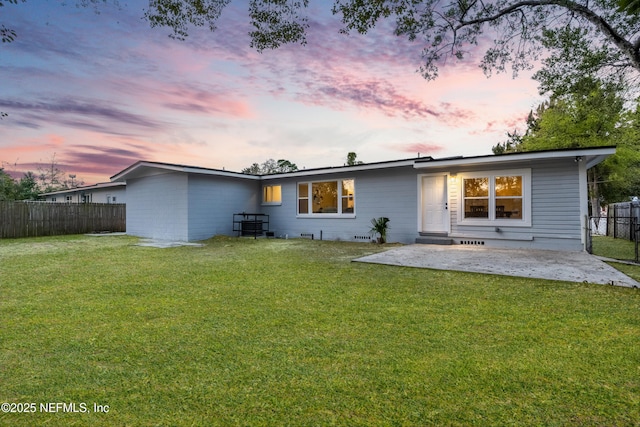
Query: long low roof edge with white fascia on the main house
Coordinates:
[592,156]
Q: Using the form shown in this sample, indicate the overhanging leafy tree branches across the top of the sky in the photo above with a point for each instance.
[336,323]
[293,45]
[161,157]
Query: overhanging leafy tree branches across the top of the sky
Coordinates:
[572,37]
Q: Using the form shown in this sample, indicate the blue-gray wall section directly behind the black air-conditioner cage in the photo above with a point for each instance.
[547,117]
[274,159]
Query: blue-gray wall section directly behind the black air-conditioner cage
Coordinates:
[213,200]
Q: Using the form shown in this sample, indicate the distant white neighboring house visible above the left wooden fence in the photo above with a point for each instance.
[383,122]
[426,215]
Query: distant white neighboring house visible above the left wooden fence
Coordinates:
[104,192]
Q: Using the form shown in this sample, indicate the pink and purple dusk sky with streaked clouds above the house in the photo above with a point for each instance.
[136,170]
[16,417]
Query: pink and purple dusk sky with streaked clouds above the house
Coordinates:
[101,91]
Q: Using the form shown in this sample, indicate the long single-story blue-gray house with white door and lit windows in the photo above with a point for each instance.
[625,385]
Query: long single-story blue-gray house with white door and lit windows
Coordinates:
[524,200]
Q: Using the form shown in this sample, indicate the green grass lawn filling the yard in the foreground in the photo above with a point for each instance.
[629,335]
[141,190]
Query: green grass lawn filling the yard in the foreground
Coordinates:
[291,332]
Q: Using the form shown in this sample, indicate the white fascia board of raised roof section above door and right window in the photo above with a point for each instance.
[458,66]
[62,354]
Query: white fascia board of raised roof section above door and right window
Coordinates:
[592,156]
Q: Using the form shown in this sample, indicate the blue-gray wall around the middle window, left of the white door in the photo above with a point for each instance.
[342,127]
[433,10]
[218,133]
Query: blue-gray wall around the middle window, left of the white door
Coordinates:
[390,192]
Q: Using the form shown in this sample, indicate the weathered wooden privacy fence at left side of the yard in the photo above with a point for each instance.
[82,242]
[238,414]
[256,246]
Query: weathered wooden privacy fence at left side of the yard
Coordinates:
[32,219]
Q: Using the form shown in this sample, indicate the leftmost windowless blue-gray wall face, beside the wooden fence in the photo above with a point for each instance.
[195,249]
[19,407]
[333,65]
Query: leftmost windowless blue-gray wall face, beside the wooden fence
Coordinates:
[157,207]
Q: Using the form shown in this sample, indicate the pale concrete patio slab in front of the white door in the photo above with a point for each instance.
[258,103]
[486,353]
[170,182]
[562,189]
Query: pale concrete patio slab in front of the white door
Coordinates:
[540,264]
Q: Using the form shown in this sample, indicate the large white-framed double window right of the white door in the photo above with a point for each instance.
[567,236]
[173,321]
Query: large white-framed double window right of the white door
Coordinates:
[496,197]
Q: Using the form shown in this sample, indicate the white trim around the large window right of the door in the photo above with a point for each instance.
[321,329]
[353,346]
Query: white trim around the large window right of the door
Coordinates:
[492,220]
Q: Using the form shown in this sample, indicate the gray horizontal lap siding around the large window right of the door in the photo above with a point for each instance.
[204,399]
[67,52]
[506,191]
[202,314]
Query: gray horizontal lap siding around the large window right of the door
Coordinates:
[555,210]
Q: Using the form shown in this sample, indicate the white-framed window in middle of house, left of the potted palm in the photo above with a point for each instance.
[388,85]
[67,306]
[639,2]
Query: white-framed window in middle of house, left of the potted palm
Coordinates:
[327,197]
